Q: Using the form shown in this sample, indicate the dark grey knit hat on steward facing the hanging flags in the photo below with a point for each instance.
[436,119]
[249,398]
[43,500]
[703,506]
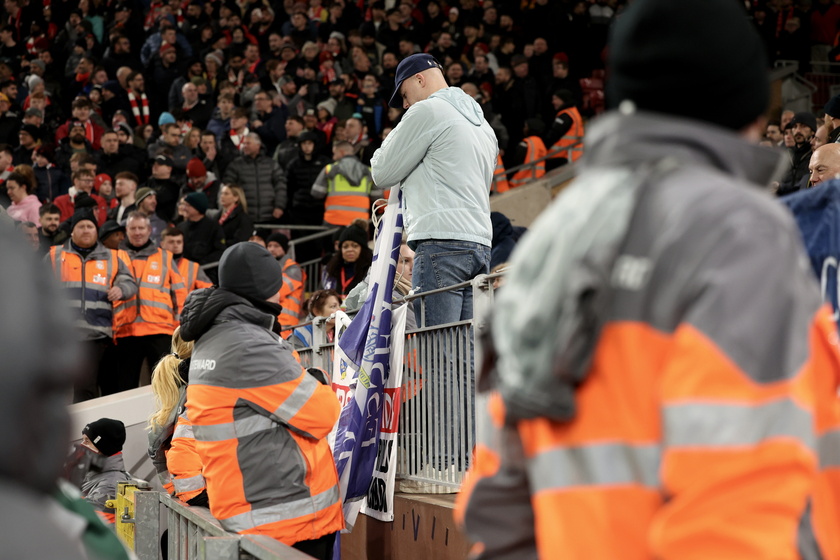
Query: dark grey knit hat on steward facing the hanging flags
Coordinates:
[250,271]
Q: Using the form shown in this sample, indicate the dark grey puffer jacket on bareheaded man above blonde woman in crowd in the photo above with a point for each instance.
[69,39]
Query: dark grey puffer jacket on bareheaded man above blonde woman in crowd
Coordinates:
[263,181]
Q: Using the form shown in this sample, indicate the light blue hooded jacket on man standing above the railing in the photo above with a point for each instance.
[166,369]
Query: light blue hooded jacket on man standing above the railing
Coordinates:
[442,154]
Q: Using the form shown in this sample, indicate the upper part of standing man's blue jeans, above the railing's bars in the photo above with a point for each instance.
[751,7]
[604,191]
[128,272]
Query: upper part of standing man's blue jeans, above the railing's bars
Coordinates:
[438,264]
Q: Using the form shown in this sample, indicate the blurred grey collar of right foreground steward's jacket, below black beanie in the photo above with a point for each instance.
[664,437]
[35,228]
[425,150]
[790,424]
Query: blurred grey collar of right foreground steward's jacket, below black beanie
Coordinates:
[628,139]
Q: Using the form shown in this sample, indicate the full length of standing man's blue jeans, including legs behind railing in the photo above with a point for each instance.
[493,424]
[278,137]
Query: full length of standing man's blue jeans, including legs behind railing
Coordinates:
[451,376]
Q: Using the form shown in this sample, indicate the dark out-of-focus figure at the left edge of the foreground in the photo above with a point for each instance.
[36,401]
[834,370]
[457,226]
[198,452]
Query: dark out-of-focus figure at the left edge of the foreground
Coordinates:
[39,359]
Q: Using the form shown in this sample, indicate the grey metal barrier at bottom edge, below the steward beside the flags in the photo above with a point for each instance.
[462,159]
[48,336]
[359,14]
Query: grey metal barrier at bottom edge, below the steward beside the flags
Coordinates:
[194,534]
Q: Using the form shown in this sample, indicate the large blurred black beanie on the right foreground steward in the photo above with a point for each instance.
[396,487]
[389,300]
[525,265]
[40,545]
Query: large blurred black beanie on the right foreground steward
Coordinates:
[700,59]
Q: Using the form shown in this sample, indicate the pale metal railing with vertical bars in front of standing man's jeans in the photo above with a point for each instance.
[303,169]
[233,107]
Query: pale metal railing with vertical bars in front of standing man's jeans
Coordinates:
[437,416]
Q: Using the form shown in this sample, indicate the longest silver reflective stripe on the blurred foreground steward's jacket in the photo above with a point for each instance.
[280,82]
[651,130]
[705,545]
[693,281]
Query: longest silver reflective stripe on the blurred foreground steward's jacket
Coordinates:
[709,424]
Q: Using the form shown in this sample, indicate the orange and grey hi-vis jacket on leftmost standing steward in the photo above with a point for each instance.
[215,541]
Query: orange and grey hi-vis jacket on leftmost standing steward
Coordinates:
[87,283]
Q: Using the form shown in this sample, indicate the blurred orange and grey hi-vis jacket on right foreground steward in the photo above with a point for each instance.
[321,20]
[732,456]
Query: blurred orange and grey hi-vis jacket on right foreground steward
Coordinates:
[707,423]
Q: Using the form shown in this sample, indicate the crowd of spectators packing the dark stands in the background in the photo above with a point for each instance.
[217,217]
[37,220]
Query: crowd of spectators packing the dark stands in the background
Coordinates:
[213,117]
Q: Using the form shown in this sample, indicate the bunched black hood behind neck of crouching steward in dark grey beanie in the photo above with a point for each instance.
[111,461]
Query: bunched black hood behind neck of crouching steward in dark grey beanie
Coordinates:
[209,306]
